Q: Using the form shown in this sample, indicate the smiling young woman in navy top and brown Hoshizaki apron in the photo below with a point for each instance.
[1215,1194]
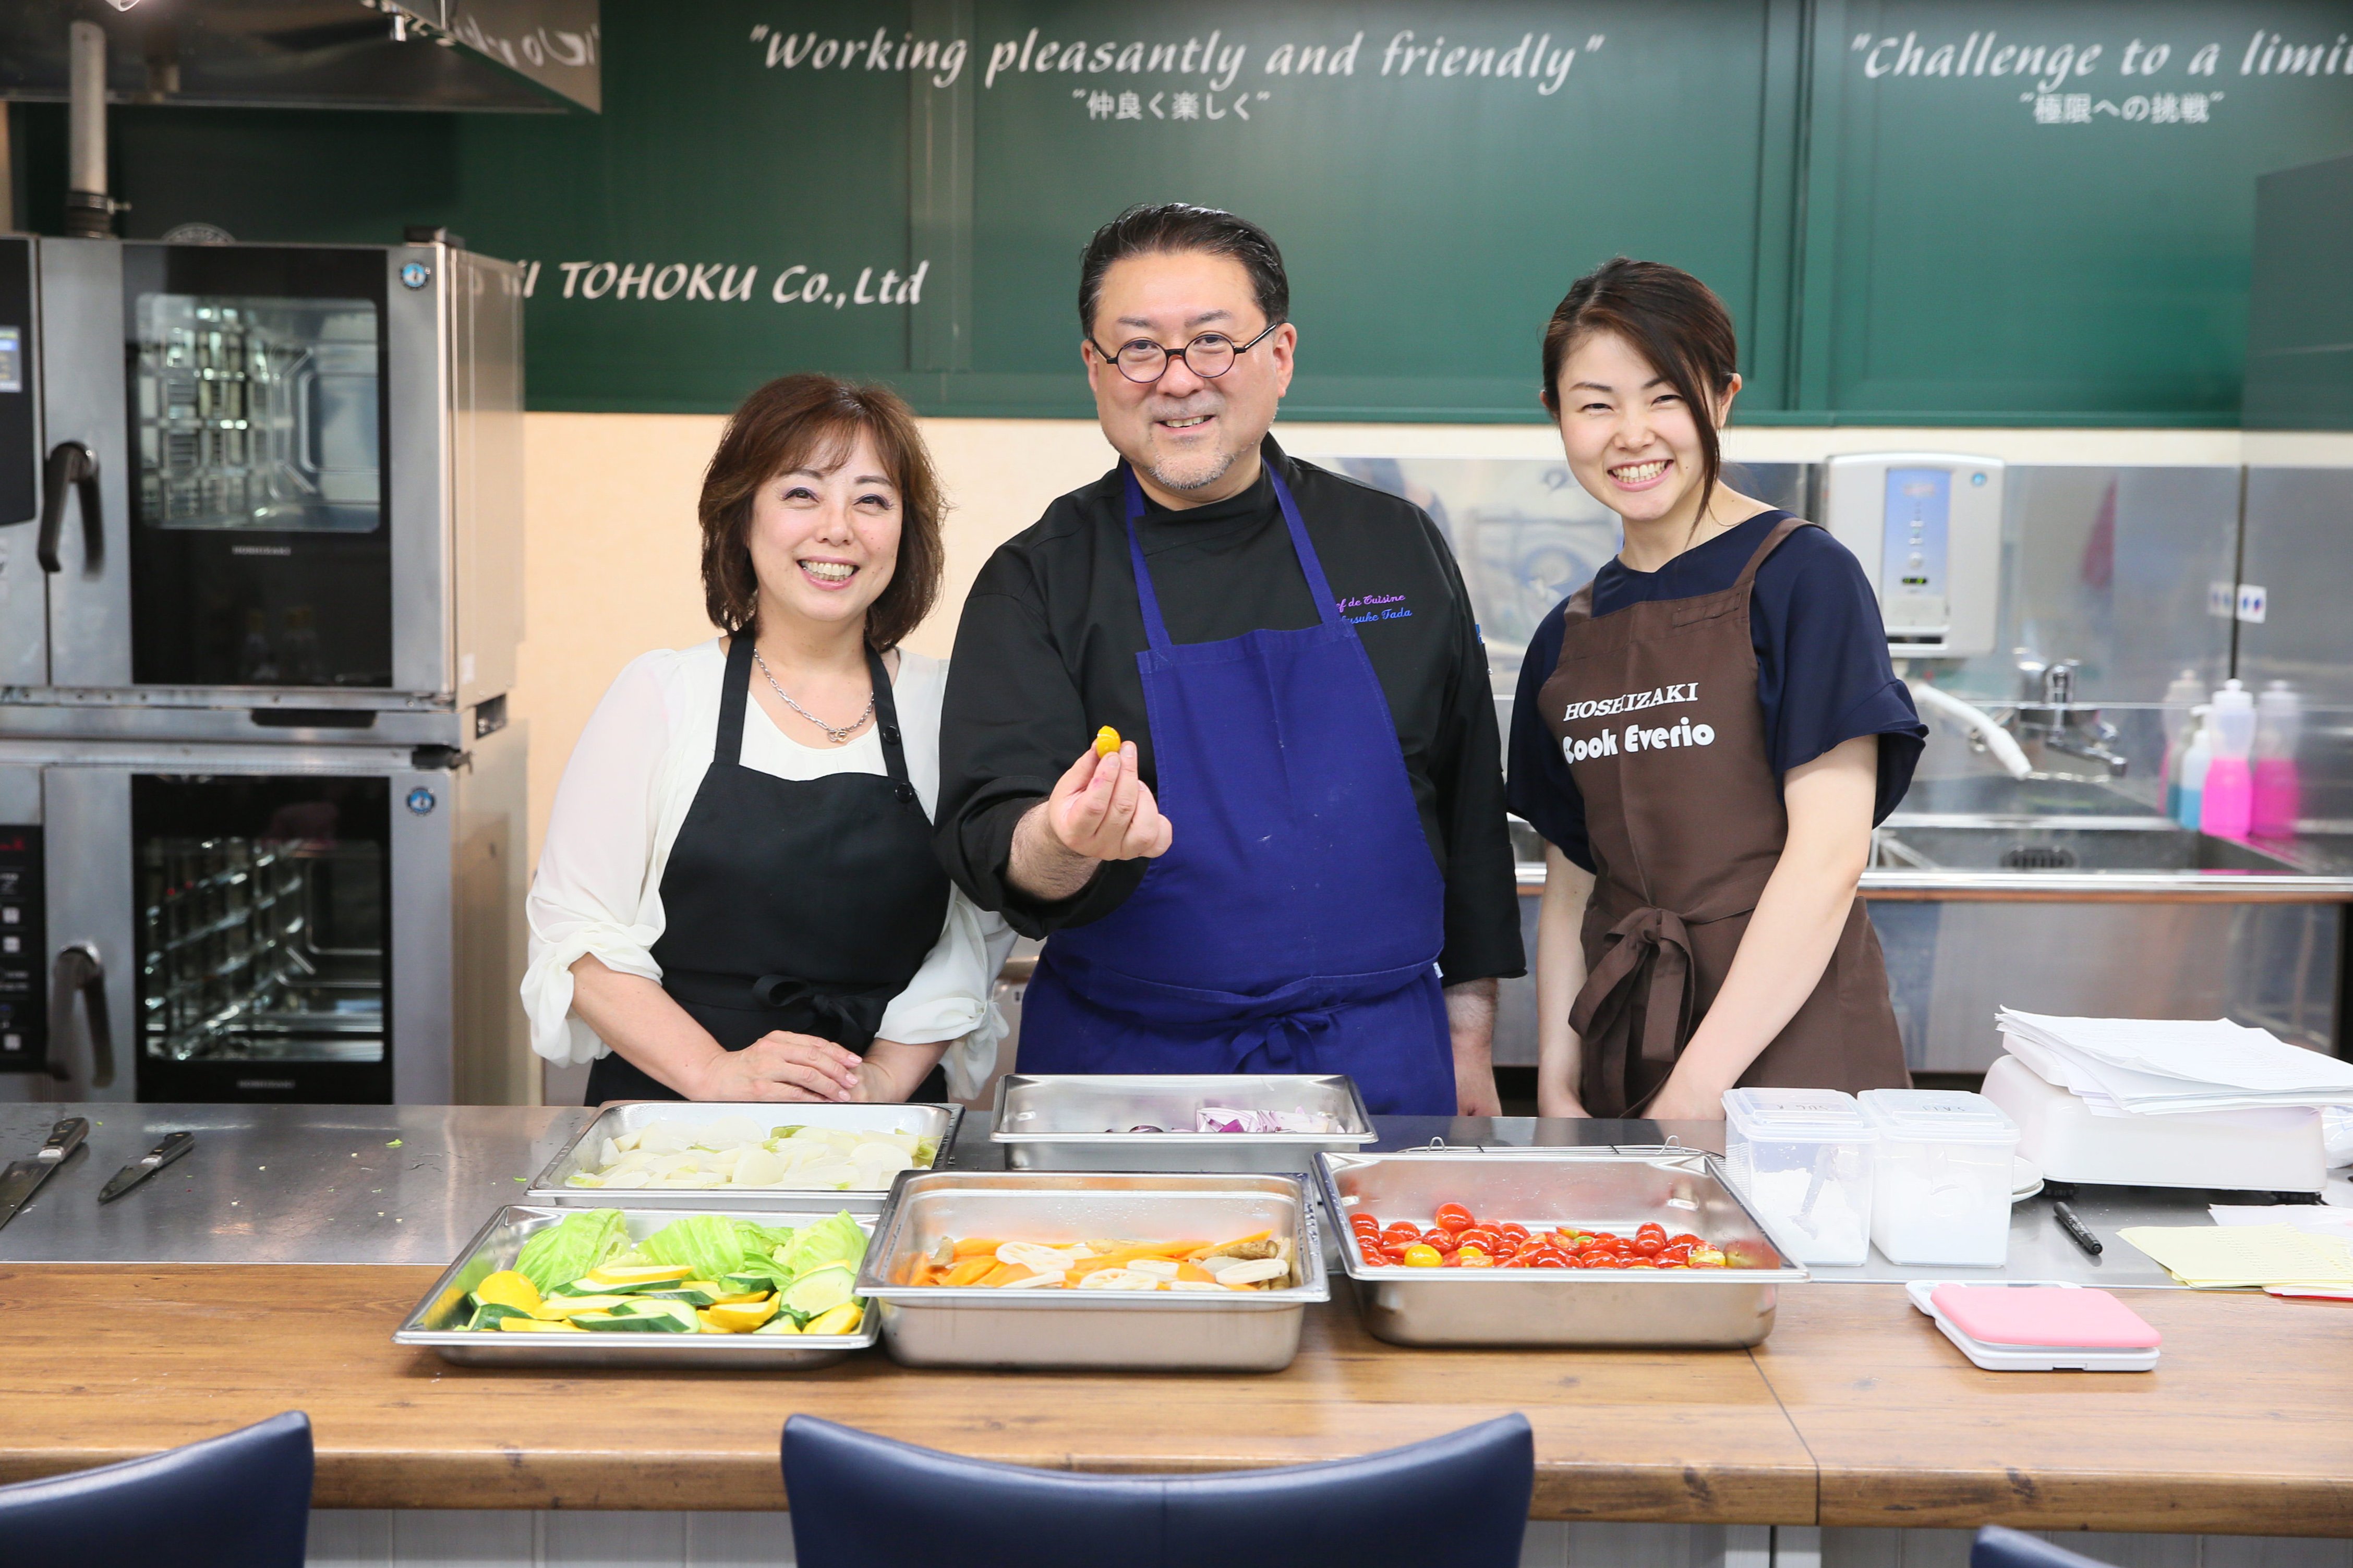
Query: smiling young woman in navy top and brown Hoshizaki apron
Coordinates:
[1705,737]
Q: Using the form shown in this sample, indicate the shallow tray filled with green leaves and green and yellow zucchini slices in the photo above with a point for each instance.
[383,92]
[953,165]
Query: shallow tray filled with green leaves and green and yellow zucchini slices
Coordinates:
[634,1287]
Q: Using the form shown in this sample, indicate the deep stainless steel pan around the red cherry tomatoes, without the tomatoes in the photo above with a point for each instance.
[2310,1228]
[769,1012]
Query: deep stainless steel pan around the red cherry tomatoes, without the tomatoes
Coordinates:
[1594,1308]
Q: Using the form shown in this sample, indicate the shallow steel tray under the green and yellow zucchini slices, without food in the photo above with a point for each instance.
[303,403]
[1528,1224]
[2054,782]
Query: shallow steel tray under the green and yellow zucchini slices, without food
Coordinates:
[498,1245]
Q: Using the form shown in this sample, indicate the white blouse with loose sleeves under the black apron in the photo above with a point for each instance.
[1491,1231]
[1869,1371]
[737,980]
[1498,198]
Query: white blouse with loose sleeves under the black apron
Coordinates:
[618,812]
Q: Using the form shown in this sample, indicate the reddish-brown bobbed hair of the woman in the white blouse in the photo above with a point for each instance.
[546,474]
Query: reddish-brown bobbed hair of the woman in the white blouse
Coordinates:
[811,422]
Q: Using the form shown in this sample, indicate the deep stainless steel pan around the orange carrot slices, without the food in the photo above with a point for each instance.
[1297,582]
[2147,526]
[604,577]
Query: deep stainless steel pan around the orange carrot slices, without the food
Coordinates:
[1093,1329]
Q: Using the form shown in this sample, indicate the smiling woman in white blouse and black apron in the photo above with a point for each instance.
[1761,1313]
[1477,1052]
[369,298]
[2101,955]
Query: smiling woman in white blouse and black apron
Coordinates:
[738,897]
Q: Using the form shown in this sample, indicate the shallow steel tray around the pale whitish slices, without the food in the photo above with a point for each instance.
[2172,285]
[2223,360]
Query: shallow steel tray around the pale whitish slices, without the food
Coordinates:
[629,1115]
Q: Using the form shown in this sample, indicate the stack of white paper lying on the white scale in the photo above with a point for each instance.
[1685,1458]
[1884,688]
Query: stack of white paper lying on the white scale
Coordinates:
[2166,1066]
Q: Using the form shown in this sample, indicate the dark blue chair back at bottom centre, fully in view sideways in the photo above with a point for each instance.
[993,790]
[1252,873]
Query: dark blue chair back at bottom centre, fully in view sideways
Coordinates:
[862,1501]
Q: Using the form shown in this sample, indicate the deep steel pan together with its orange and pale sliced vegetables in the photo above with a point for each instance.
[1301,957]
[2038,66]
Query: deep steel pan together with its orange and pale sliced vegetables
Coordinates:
[1046,1271]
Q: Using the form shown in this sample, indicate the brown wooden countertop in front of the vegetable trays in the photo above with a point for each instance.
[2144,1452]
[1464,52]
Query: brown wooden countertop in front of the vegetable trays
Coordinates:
[1855,1412]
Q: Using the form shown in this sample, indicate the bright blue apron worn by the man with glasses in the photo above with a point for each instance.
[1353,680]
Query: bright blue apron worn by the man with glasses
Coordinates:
[1298,918]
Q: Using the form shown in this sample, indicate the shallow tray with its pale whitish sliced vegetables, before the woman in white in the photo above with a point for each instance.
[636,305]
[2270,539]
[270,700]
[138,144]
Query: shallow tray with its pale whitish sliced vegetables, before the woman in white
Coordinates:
[771,1155]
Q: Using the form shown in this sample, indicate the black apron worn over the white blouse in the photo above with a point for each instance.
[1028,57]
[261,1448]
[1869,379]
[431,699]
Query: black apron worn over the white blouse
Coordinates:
[799,906]
